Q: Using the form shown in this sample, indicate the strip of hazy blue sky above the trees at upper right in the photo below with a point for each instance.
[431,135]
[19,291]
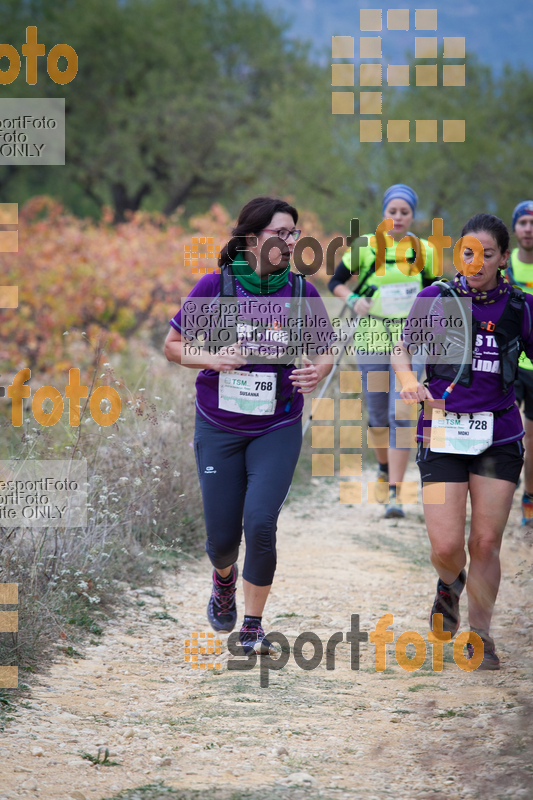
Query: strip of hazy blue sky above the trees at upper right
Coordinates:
[496,32]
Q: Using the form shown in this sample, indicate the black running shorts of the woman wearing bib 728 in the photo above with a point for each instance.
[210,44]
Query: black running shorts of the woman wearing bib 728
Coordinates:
[503,461]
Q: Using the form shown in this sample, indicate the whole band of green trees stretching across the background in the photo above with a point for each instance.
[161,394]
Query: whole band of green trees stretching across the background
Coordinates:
[181,103]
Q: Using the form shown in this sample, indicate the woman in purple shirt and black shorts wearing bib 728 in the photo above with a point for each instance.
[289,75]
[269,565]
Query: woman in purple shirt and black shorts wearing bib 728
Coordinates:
[481,452]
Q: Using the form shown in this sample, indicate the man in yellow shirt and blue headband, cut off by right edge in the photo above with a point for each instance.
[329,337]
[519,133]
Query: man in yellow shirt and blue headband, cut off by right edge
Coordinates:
[520,273]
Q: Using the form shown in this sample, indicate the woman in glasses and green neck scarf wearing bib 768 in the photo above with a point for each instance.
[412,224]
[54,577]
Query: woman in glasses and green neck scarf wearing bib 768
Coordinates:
[248,423]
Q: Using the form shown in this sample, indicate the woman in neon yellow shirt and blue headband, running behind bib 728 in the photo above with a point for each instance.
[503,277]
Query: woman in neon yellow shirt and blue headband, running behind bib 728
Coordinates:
[381,319]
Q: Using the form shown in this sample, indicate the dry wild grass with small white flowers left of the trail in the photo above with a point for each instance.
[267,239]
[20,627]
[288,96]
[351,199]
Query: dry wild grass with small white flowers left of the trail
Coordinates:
[144,507]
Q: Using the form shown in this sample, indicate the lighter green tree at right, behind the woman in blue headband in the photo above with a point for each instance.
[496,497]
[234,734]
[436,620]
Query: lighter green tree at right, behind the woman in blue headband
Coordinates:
[489,172]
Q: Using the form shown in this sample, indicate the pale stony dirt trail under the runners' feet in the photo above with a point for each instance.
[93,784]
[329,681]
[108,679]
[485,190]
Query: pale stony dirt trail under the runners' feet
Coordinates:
[341,733]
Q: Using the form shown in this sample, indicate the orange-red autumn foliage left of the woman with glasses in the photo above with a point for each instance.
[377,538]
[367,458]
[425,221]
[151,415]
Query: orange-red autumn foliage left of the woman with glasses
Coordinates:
[82,275]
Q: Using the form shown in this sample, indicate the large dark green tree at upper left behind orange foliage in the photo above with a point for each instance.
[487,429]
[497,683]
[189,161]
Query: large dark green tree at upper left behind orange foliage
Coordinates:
[175,102]
